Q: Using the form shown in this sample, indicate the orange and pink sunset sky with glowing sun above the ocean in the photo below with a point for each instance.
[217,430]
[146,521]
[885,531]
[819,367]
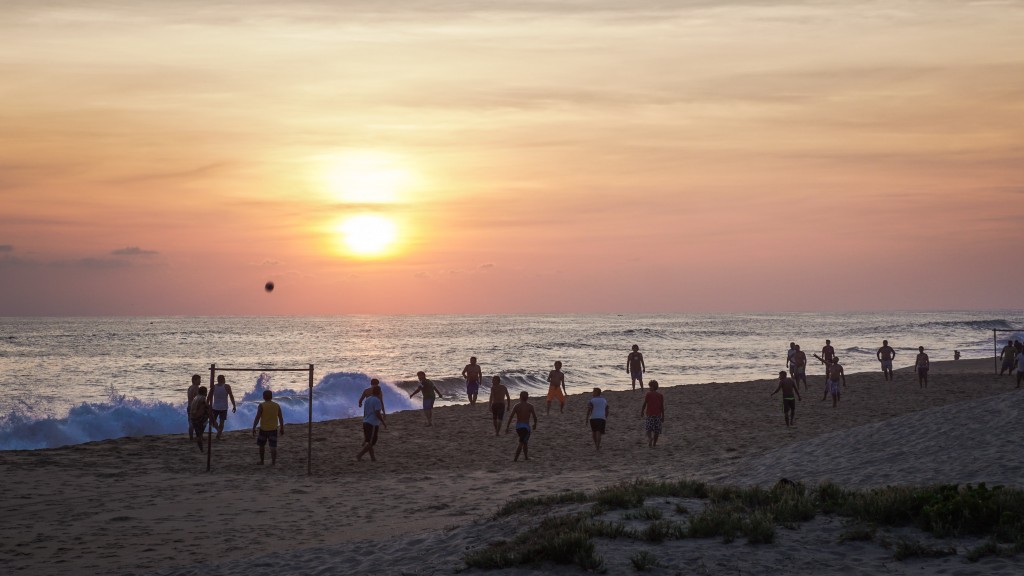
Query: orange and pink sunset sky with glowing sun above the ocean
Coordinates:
[450,157]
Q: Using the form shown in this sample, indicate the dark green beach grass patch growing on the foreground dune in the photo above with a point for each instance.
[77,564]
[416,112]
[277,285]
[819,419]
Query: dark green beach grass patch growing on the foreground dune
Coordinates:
[754,513]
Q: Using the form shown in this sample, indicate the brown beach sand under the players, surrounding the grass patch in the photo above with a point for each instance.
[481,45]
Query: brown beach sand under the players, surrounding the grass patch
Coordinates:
[146,506]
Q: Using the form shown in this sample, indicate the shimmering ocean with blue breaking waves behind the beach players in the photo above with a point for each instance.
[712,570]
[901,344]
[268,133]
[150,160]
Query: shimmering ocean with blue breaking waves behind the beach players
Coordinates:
[70,381]
